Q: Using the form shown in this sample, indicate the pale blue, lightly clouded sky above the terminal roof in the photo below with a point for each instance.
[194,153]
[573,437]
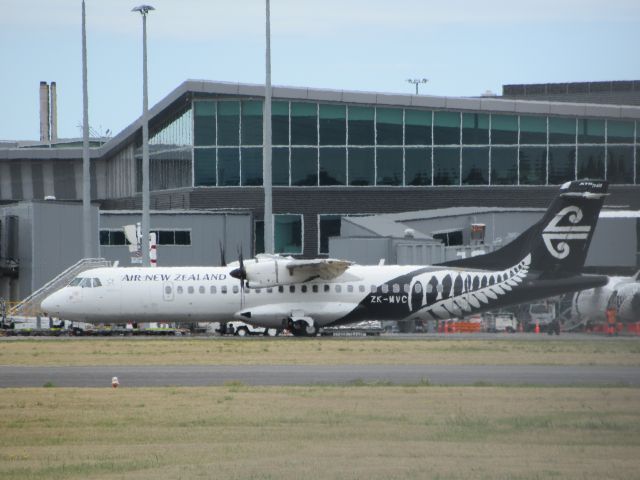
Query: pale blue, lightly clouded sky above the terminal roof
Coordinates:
[463,48]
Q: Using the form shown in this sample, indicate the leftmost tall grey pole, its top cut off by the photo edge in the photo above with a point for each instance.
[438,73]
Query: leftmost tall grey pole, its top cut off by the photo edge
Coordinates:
[86,170]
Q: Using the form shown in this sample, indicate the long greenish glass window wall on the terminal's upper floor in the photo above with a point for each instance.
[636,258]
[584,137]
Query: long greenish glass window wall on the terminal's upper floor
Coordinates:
[334,144]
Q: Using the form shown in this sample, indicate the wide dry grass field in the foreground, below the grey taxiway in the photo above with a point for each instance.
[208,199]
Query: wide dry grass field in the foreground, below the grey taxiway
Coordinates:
[354,432]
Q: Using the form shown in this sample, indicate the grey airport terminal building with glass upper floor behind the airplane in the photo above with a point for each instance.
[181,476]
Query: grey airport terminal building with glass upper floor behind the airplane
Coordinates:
[337,155]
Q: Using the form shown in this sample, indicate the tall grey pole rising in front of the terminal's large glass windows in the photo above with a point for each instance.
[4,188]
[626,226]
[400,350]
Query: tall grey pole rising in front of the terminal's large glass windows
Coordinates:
[266,141]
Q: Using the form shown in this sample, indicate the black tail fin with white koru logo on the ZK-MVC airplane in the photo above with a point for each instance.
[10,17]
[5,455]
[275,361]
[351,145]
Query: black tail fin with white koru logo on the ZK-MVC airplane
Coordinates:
[559,242]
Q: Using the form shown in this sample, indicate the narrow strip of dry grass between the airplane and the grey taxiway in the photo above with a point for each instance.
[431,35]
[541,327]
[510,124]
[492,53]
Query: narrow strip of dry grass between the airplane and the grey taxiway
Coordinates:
[321,351]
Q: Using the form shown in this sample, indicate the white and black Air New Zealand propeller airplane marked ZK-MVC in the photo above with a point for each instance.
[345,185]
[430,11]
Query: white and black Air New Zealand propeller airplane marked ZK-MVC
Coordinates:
[304,295]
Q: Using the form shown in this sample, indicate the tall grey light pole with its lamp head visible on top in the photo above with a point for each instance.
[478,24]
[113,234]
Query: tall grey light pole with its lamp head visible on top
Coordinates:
[145,227]
